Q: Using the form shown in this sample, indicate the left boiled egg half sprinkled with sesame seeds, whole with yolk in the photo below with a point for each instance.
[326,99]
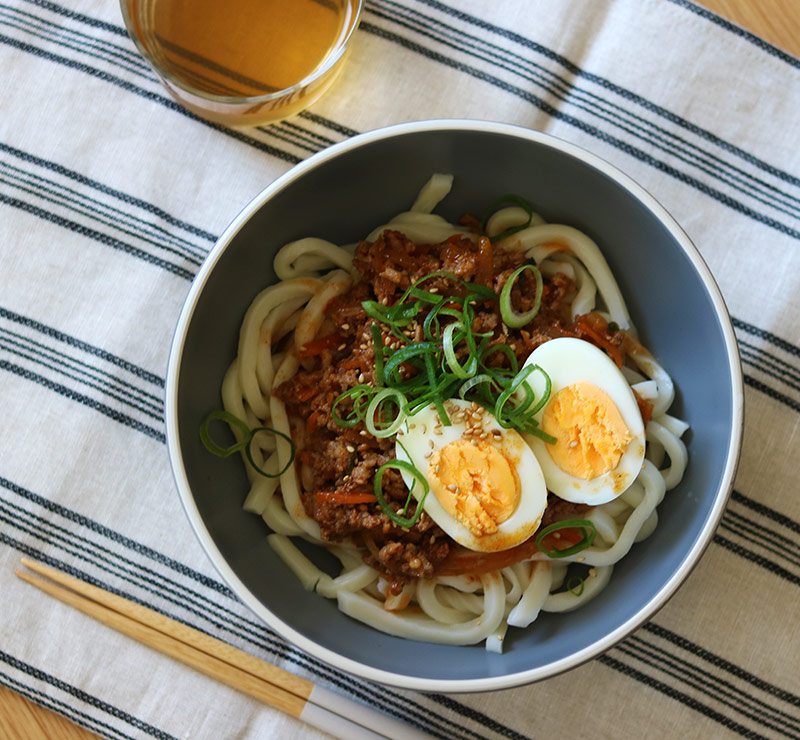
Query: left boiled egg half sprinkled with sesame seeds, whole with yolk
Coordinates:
[487,490]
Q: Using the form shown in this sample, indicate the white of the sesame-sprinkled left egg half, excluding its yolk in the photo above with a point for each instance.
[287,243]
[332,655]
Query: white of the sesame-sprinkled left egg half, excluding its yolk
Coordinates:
[424,434]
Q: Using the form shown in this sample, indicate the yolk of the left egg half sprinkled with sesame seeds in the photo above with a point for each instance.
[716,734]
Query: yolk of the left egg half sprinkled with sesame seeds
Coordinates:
[475,483]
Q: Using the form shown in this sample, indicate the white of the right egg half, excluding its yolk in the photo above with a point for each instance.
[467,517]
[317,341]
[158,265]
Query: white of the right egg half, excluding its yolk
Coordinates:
[569,360]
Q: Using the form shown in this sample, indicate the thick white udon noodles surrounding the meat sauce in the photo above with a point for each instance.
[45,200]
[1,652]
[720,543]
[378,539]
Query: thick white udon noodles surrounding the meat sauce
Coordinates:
[468,608]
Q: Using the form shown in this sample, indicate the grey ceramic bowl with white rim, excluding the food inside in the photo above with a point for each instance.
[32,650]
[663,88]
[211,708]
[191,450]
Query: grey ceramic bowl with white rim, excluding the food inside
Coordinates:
[341,194]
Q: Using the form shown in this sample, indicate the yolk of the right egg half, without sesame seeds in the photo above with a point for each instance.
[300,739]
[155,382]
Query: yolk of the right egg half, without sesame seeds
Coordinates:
[590,433]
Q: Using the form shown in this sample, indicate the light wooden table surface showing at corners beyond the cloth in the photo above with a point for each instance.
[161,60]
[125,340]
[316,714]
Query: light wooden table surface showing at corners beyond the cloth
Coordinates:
[776,21]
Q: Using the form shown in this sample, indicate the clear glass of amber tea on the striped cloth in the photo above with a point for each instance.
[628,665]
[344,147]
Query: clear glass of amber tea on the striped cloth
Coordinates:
[243,62]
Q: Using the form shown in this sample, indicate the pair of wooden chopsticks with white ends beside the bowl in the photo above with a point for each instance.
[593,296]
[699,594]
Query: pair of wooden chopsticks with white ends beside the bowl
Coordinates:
[268,683]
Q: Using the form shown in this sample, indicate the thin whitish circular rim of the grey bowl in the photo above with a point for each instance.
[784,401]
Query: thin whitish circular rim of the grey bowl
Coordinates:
[489,683]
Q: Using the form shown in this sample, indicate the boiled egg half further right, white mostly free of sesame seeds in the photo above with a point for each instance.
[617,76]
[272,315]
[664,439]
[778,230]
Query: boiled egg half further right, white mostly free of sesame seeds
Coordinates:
[594,417]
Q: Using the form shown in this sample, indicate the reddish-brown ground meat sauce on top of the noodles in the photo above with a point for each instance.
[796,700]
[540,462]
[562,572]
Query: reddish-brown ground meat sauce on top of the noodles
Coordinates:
[344,460]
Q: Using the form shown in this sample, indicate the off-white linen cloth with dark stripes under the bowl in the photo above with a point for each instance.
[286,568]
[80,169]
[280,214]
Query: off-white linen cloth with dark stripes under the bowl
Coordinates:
[110,198]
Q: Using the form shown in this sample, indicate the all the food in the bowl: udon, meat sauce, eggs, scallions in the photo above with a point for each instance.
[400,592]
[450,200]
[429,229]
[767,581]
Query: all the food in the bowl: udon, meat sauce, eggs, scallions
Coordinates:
[461,414]
